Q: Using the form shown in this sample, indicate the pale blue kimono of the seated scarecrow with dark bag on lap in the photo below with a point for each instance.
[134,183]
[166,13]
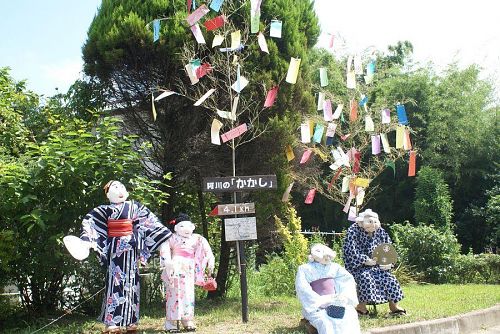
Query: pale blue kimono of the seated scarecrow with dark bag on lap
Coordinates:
[344,286]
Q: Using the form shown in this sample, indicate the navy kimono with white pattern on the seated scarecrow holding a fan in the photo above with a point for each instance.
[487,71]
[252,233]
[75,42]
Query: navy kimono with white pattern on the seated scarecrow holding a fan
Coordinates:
[375,286]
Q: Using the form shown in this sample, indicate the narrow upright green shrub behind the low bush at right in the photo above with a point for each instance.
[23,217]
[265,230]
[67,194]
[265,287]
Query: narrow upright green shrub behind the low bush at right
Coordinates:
[433,203]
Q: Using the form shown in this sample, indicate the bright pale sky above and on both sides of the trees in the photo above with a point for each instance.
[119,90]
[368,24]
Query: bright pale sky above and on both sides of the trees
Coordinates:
[41,40]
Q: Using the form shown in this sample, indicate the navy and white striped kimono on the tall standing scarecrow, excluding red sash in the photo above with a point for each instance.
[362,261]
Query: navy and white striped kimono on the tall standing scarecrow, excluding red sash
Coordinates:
[120,255]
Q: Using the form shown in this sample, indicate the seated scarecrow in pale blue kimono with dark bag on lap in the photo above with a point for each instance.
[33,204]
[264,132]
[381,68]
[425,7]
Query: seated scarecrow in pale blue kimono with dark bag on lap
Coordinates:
[327,293]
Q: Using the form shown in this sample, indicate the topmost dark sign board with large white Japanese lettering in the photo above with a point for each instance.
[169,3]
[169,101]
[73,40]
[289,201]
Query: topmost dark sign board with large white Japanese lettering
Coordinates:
[239,183]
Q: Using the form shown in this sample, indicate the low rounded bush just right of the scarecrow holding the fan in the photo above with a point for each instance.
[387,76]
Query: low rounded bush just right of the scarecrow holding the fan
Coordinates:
[429,251]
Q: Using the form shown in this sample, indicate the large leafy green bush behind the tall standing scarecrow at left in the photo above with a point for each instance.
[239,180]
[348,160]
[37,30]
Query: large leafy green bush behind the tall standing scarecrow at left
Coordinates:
[45,193]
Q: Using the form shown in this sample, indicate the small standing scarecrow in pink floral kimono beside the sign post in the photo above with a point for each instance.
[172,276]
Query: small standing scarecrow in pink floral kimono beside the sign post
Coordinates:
[184,257]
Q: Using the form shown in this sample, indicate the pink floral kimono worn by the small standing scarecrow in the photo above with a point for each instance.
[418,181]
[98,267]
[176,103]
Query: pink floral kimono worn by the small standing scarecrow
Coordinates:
[189,260]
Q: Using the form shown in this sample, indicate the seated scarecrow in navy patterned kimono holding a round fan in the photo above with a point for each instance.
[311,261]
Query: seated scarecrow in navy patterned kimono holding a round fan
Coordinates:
[375,283]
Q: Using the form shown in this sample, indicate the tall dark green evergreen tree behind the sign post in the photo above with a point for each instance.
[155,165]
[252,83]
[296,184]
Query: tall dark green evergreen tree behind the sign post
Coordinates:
[121,54]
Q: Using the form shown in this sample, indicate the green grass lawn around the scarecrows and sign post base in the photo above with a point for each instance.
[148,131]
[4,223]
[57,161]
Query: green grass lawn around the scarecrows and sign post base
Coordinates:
[282,314]
